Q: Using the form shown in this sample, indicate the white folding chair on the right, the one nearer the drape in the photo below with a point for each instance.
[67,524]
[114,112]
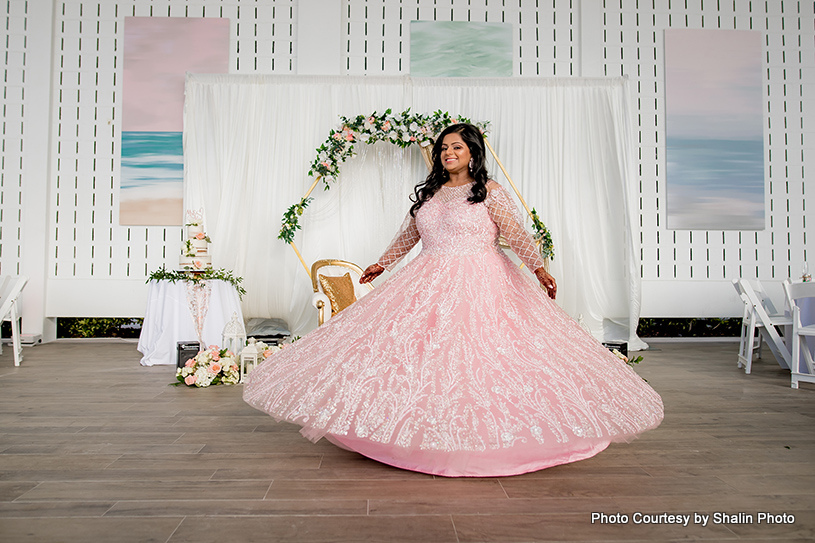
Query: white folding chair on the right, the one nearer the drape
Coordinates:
[757,318]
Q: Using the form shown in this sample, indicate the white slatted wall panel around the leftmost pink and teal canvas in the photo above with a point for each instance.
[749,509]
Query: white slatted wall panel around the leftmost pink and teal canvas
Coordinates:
[87,244]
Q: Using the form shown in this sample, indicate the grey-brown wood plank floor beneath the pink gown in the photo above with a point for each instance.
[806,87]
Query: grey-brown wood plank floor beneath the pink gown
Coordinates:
[95,448]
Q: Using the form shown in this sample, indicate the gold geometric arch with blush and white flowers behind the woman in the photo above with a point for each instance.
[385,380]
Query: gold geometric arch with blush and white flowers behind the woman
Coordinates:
[403,129]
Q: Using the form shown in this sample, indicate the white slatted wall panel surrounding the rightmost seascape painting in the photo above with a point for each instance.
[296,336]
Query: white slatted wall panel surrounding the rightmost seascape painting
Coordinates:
[699,259]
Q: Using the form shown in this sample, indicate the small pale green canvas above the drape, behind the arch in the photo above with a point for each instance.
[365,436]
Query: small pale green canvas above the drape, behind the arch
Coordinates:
[460,49]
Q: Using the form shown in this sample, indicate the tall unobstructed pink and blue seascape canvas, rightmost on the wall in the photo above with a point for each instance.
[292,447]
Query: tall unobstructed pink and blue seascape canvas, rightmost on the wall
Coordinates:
[714,130]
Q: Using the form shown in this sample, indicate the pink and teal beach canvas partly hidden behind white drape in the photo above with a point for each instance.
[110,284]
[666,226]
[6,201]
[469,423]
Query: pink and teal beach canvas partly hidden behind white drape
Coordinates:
[158,52]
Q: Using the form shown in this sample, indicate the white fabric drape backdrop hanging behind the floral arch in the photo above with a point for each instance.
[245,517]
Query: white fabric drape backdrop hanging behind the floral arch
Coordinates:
[567,144]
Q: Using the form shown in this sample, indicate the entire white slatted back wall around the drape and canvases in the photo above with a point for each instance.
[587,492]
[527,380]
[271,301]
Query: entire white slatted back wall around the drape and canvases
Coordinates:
[685,273]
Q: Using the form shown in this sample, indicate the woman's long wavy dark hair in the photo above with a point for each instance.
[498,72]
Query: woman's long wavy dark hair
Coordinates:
[438,176]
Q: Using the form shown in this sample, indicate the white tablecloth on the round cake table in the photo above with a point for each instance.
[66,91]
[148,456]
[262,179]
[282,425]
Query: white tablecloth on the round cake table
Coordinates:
[184,311]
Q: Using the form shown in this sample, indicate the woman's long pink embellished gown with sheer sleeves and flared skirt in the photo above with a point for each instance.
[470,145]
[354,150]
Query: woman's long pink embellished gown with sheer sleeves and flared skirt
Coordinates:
[459,364]
